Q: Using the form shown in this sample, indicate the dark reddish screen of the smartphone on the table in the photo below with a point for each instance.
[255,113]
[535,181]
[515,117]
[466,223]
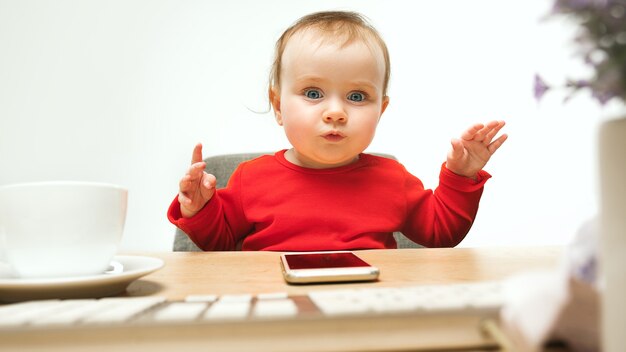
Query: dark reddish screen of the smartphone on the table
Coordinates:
[324,260]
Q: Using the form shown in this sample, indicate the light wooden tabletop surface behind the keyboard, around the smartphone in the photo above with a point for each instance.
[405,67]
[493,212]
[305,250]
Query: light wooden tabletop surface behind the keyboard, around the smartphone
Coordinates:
[188,273]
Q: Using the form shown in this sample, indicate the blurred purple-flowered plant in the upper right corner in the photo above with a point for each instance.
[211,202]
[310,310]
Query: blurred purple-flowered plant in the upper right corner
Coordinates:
[602,43]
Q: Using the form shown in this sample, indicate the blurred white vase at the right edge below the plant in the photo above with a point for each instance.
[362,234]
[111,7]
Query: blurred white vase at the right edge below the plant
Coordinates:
[612,169]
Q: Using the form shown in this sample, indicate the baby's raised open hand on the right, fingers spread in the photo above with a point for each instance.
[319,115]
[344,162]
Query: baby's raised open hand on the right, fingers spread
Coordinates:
[472,152]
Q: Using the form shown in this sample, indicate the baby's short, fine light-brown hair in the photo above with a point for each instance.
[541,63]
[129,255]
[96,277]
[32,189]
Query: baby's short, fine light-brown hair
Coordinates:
[342,25]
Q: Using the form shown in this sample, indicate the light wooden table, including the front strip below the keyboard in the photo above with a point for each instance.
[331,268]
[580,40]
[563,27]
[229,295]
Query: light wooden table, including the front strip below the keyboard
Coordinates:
[219,273]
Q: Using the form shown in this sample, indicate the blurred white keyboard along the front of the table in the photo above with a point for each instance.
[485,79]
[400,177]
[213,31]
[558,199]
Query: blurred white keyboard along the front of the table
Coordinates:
[476,299]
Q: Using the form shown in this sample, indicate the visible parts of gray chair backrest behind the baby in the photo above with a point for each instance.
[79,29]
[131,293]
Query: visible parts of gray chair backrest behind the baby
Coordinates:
[222,166]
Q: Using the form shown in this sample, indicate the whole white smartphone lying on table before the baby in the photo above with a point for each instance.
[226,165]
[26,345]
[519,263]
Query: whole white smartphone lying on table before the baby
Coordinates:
[331,266]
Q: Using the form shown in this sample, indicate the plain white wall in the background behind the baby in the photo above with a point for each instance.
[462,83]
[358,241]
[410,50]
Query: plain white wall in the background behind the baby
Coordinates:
[120,91]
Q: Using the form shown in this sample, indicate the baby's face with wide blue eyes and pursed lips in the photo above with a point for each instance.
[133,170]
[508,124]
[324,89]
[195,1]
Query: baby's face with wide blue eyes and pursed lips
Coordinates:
[330,99]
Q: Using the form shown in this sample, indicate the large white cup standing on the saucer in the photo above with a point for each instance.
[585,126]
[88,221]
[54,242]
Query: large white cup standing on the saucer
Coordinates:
[60,229]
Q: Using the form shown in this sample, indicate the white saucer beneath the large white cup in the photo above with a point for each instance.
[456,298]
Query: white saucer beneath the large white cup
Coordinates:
[94,286]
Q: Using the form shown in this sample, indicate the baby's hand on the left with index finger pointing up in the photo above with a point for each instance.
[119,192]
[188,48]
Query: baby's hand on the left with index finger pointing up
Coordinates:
[197,187]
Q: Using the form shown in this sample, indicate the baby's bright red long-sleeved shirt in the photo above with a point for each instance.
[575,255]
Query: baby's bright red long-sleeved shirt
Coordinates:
[272,204]
